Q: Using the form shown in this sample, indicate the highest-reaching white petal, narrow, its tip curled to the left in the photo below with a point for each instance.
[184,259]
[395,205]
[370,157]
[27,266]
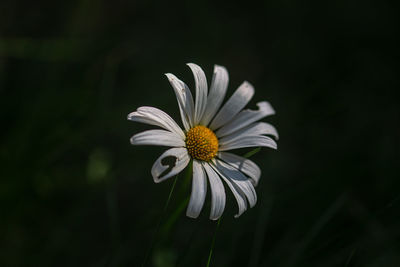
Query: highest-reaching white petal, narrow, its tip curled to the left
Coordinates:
[201,92]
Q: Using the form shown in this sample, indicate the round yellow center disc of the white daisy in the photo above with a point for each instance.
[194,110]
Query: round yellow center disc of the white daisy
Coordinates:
[201,143]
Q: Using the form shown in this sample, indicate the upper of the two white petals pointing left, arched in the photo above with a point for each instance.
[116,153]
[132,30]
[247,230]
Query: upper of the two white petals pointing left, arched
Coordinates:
[155,116]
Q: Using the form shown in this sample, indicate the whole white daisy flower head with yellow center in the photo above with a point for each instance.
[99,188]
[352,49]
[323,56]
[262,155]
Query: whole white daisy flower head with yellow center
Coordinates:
[209,132]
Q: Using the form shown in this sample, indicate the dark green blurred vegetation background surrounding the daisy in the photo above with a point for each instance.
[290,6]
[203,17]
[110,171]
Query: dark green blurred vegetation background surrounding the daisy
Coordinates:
[74,192]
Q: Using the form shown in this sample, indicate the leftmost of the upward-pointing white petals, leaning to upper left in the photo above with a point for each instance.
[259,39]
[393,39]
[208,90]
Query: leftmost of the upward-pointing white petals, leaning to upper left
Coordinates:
[185,100]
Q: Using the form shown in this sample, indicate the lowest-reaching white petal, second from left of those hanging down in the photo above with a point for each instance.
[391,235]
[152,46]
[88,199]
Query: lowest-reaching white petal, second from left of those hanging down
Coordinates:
[218,197]
